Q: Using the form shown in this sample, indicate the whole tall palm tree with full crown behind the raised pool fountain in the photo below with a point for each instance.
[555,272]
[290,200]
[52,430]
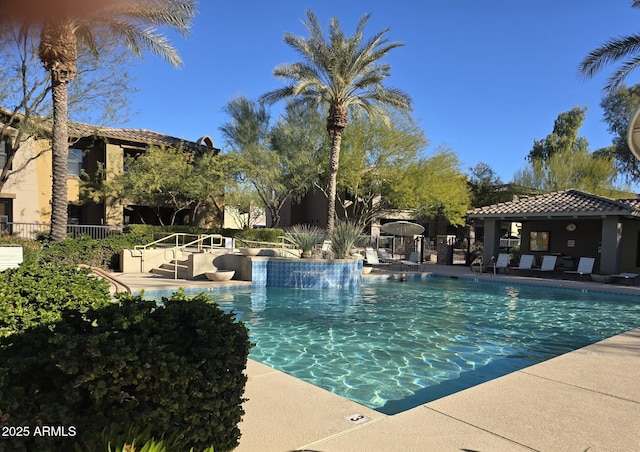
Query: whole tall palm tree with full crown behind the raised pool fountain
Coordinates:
[345,75]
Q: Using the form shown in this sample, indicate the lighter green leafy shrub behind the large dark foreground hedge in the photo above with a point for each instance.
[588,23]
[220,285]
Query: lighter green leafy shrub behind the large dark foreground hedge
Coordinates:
[37,294]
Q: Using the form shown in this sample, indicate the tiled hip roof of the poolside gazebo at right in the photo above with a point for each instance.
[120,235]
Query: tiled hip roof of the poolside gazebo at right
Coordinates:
[559,204]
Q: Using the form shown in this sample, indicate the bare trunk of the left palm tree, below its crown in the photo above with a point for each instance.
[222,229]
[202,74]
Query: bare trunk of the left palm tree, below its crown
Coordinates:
[60,148]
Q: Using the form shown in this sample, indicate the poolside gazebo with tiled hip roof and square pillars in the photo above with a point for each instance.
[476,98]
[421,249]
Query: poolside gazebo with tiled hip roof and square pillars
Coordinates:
[570,224]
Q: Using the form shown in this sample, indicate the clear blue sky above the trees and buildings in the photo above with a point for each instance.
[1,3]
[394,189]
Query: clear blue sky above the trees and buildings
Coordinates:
[486,77]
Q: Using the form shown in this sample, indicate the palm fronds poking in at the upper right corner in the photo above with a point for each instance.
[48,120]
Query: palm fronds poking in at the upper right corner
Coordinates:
[625,48]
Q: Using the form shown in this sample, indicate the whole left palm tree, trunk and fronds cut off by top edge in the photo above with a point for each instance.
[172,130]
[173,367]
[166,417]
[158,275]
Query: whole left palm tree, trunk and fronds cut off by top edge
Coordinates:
[130,23]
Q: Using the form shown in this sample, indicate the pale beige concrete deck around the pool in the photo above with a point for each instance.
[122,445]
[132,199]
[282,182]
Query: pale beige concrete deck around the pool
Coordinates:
[588,399]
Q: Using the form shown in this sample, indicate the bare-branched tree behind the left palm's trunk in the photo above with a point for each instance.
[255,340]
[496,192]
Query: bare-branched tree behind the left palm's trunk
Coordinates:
[96,96]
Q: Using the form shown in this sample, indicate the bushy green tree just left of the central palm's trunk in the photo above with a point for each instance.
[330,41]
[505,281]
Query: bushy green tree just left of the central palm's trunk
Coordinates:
[280,161]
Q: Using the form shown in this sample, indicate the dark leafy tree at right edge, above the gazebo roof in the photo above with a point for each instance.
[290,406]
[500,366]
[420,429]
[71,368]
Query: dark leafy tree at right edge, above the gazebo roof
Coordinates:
[618,106]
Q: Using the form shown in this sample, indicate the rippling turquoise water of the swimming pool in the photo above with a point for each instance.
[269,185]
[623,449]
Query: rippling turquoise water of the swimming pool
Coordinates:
[393,346]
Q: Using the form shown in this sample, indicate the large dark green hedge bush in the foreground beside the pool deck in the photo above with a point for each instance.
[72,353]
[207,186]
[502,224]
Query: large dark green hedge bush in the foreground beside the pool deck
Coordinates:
[175,367]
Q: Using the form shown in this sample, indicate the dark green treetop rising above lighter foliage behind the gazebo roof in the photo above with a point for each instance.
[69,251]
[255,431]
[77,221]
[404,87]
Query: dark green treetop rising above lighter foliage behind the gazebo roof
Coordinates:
[564,137]
